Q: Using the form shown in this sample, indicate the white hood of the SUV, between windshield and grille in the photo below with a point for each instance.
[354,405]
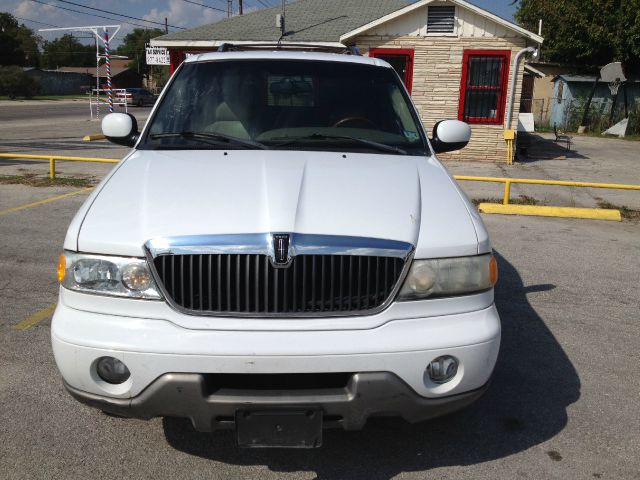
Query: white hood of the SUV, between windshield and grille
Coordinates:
[202,192]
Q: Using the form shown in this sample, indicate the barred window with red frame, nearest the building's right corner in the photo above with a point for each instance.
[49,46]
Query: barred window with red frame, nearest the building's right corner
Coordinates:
[483,87]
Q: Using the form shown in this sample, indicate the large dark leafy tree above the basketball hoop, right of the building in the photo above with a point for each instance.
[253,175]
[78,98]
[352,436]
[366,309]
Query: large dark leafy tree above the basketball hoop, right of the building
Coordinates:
[586,32]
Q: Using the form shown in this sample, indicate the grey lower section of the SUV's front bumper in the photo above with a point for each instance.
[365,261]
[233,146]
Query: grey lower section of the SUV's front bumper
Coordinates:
[367,394]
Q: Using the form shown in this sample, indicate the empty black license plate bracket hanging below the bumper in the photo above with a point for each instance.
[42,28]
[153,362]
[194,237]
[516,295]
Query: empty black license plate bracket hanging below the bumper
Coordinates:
[279,428]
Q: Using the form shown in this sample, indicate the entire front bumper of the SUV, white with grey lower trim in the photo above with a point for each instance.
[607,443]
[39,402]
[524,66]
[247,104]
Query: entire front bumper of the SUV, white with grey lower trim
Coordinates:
[171,364]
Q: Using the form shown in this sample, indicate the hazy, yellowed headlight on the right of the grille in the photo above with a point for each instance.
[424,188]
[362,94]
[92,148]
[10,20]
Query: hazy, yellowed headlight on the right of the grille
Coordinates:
[449,276]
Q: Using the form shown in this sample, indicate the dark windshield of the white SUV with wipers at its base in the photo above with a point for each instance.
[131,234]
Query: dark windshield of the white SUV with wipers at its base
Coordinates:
[286,104]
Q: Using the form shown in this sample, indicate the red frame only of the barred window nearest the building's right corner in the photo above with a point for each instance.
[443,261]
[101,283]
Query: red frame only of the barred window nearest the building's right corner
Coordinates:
[505,55]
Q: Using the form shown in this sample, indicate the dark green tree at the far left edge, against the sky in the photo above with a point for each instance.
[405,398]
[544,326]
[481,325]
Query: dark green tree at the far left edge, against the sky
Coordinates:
[19,44]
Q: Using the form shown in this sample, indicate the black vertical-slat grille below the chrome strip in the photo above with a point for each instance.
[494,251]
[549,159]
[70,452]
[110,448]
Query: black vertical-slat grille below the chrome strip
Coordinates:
[250,284]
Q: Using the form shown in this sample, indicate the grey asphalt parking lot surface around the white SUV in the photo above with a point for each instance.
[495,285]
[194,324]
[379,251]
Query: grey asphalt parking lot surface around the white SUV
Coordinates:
[563,402]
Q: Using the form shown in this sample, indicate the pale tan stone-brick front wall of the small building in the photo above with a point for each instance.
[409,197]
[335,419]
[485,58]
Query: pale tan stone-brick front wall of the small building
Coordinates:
[437,72]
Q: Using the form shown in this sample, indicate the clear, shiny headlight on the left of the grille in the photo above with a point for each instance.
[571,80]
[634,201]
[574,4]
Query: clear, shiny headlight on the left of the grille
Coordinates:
[106,275]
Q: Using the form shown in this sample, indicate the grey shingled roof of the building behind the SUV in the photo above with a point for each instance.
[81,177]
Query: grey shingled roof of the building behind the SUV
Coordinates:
[306,21]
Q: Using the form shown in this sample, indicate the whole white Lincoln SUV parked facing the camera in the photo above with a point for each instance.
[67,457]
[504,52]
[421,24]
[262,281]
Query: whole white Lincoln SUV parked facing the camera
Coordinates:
[280,251]
